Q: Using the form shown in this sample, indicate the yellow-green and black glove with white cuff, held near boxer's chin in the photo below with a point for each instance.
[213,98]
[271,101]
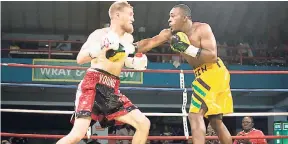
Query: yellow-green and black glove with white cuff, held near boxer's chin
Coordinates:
[180,43]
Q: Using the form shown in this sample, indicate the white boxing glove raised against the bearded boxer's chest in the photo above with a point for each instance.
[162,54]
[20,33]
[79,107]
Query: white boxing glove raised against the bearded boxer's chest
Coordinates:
[111,40]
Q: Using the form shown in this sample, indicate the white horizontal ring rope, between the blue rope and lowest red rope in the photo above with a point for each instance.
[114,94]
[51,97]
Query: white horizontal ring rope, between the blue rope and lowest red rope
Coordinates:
[147,114]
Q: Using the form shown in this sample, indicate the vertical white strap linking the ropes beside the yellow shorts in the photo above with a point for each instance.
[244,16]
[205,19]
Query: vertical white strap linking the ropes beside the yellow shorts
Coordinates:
[182,86]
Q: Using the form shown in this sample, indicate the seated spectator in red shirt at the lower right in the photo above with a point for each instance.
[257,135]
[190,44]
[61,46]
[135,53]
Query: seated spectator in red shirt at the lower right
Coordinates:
[249,130]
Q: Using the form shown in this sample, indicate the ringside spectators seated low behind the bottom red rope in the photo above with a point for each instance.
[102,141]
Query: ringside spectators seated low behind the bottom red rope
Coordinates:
[158,129]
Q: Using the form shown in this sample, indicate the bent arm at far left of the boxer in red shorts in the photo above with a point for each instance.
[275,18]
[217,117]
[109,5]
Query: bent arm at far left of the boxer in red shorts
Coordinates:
[91,48]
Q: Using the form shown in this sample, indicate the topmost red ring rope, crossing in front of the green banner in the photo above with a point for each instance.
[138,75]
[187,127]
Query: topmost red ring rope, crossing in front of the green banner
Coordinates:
[132,70]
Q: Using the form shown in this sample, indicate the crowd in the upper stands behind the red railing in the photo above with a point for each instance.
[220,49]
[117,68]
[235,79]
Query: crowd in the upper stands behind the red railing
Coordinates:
[238,52]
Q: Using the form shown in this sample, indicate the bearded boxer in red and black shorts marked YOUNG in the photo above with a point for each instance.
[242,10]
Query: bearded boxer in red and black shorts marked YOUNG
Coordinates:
[98,97]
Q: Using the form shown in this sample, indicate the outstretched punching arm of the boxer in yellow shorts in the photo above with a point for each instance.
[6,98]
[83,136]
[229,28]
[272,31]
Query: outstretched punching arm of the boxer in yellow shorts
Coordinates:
[146,45]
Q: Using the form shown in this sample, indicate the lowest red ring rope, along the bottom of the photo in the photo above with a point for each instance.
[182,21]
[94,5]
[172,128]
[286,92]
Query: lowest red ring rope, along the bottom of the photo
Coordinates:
[130,137]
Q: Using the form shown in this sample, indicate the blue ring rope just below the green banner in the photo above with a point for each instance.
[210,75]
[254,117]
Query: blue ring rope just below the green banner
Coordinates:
[137,88]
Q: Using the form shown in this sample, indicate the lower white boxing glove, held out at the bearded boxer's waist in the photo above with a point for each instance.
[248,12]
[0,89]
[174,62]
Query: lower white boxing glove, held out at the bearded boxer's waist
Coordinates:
[138,62]
